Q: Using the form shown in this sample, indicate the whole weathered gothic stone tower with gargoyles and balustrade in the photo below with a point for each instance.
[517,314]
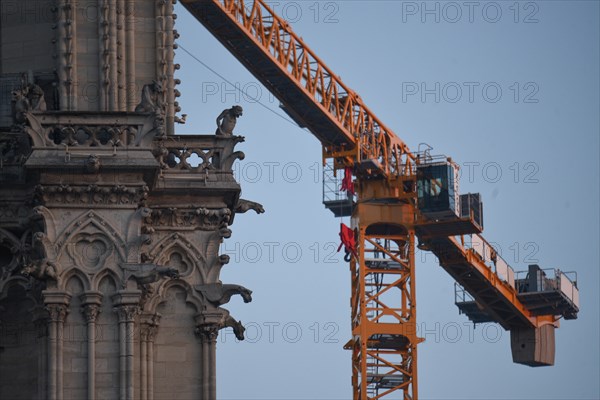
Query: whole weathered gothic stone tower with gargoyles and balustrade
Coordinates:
[110,223]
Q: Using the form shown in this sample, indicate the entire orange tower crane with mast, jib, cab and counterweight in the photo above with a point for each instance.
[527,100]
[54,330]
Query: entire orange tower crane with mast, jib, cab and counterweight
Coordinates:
[400,196]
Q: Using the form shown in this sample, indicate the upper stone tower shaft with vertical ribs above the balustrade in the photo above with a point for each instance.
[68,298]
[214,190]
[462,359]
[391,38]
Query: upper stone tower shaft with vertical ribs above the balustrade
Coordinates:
[93,55]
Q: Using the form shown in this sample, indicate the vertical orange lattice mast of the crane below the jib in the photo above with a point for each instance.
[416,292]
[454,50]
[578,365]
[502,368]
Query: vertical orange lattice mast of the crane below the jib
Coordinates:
[383,312]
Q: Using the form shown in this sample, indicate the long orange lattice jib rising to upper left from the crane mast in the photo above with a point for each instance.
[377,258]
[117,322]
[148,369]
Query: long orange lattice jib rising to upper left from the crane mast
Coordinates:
[348,127]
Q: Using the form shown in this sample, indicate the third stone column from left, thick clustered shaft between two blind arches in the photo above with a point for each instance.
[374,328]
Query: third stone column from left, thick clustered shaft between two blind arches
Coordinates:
[126,304]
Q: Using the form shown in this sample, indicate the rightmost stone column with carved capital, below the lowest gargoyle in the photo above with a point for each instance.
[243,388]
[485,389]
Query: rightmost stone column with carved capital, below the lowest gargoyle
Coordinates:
[208,337]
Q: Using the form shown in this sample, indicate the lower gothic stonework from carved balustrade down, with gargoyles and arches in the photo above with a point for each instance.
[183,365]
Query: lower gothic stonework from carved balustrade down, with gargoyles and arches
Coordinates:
[109,255]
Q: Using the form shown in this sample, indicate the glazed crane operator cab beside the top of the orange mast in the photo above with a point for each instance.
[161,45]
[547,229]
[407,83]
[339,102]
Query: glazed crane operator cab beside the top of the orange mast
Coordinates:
[445,211]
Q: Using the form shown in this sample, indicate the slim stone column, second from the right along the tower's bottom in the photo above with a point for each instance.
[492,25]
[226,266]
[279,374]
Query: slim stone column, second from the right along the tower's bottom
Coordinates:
[148,330]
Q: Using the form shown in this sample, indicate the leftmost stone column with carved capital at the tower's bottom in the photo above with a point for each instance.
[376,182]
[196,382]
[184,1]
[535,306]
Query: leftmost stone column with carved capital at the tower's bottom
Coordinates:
[57,306]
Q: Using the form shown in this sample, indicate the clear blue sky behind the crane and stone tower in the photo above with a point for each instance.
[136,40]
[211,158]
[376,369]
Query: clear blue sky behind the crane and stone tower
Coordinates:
[510,91]
